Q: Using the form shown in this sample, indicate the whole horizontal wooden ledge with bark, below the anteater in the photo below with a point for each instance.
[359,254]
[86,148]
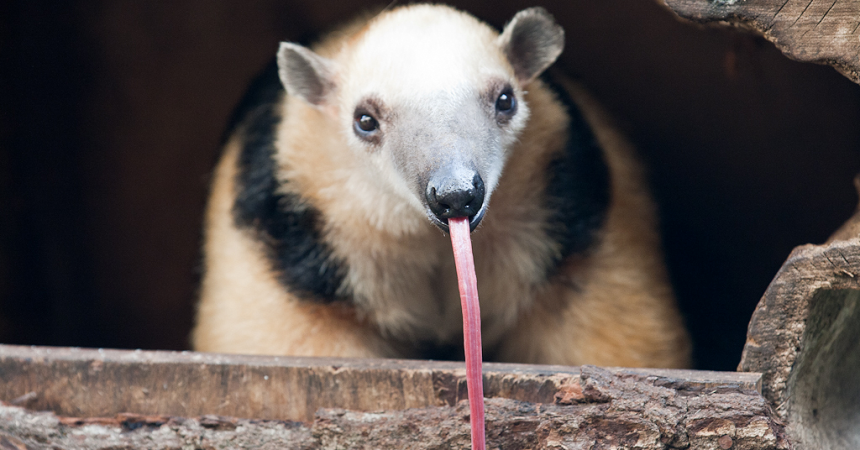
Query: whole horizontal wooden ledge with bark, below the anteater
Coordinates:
[585,407]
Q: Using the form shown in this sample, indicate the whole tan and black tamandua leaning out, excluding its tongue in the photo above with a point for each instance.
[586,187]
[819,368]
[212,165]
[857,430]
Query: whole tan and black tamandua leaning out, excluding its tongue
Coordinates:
[325,230]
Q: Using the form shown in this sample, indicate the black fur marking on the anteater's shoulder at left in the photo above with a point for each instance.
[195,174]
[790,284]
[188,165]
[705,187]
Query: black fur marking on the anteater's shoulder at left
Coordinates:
[287,225]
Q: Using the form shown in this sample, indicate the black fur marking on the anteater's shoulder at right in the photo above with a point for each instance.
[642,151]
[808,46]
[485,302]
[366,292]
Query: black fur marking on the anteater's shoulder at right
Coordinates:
[578,191]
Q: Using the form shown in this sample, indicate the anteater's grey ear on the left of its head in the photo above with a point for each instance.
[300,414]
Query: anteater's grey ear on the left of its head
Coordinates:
[305,74]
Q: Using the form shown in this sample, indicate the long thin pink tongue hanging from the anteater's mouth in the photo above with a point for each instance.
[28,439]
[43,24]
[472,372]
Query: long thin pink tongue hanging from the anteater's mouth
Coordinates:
[462,243]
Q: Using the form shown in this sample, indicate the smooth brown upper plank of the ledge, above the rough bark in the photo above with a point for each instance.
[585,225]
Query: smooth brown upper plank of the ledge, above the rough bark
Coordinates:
[90,383]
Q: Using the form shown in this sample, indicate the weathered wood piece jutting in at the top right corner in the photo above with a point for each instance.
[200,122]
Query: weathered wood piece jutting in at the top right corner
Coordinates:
[818,31]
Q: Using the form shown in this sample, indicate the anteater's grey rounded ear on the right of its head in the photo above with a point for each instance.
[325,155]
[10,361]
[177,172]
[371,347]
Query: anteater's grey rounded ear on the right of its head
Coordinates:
[531,41]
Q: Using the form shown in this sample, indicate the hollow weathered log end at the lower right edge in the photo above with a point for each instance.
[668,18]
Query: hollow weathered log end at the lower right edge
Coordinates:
[804,337]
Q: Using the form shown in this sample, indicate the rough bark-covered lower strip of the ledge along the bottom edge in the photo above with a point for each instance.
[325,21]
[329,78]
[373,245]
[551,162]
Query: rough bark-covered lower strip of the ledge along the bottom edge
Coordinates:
[603,409]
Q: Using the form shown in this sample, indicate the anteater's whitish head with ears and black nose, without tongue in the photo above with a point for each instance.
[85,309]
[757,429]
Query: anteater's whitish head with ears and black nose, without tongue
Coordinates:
[432,96]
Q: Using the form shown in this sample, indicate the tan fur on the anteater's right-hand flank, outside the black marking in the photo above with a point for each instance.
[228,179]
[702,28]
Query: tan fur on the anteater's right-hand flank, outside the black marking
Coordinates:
[616,305]
